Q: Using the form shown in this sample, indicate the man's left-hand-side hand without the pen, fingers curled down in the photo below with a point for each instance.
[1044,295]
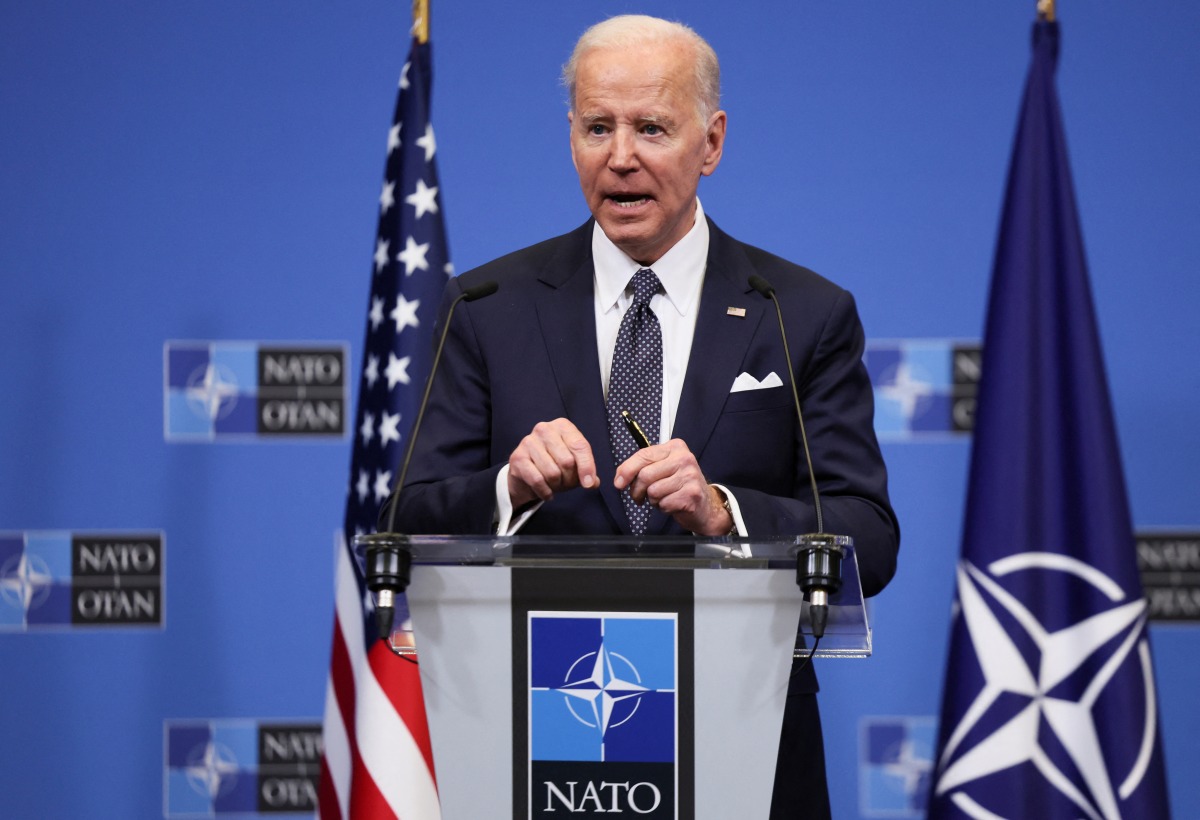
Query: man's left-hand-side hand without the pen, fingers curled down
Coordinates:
[553,459]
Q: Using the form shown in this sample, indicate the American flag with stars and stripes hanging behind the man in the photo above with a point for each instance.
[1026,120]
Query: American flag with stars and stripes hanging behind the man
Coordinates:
[379,762]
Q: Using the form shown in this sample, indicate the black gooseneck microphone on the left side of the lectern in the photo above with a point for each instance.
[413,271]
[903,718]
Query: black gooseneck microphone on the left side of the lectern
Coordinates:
[388,558]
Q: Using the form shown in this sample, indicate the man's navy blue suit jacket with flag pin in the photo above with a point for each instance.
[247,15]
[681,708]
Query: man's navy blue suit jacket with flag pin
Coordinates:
[529,355]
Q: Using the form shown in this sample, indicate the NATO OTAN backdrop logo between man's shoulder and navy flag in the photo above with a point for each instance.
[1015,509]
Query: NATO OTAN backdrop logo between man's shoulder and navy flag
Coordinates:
[923,387]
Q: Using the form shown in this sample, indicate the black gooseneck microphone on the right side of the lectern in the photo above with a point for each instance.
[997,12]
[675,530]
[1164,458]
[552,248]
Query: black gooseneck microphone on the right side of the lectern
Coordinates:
[819,560]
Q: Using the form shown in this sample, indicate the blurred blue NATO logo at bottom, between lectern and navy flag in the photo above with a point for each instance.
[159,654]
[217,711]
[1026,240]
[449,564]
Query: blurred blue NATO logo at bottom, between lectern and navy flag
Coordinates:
[896,764]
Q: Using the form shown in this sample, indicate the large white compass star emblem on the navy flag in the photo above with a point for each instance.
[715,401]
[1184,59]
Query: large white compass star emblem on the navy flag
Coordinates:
[1107,638]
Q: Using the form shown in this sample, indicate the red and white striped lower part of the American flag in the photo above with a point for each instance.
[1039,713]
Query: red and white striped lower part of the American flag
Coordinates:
[379,762]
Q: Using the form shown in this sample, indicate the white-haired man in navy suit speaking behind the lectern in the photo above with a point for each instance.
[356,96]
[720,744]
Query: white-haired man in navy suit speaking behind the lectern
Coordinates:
[646,312]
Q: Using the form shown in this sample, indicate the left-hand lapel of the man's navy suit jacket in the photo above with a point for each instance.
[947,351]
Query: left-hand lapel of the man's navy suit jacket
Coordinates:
[567,315]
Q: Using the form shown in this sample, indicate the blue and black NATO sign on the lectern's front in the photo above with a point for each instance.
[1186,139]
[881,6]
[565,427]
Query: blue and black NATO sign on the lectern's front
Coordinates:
[603,714]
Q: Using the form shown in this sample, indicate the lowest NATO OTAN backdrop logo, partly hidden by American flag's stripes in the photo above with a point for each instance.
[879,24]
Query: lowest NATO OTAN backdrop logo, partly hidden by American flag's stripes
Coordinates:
[244,768]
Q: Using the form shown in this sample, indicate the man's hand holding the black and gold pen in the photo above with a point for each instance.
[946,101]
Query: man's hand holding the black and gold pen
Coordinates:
[670,477]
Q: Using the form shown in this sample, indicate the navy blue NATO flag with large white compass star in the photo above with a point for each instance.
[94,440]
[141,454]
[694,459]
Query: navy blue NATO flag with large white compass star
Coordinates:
[1049,708]
